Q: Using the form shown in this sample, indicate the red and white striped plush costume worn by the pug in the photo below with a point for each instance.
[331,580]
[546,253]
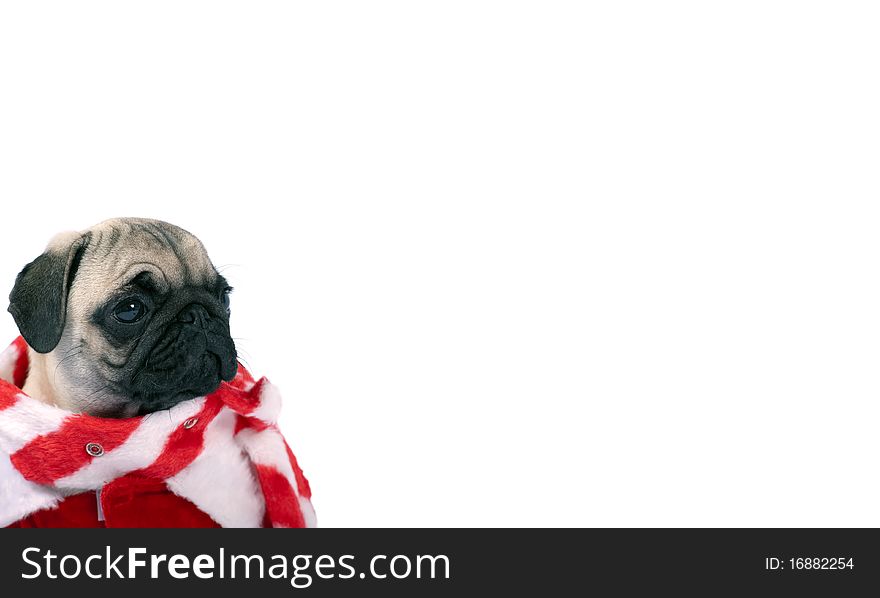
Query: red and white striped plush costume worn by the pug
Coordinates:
[215,461]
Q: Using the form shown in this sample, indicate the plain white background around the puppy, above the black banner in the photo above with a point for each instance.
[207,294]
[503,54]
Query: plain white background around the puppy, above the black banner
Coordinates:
[511,263]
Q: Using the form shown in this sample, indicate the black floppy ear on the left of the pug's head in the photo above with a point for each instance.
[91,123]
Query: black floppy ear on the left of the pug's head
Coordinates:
[38,301]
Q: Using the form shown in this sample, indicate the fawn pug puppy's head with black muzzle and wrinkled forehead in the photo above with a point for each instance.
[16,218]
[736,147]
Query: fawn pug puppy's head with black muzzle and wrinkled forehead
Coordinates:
[126,318]
